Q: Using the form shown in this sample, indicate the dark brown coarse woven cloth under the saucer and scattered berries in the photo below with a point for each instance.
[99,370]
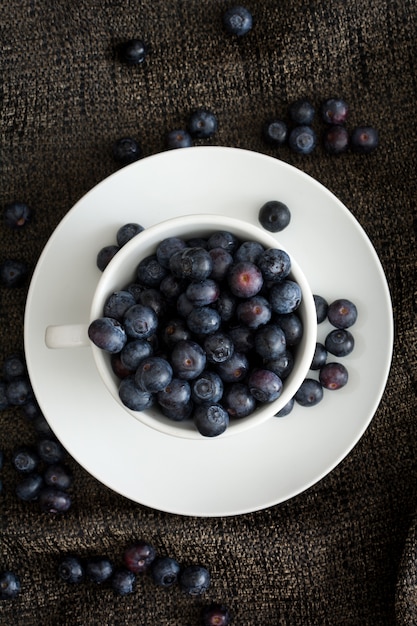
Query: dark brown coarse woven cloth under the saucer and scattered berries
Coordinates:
[345,551]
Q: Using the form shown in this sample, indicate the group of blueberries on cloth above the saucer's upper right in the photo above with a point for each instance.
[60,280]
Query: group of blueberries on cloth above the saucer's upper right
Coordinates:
[298,133]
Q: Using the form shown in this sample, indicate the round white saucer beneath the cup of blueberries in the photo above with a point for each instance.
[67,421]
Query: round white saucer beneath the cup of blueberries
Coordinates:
[211,477]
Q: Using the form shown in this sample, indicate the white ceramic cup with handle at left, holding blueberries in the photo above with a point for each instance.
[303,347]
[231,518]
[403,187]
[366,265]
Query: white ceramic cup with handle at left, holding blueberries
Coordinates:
[120,272]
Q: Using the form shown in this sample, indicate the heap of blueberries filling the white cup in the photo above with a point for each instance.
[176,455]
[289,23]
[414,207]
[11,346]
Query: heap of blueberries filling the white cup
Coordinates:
[206,330]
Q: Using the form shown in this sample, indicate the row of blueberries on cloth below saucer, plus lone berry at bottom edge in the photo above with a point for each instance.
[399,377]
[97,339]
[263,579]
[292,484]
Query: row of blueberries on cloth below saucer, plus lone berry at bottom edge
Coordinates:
[140,558]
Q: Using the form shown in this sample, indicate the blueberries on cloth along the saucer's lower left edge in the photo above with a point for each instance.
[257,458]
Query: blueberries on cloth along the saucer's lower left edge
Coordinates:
[43,475]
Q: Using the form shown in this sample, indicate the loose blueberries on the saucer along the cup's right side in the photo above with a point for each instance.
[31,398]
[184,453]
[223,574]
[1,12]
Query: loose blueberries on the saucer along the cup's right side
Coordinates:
[339,342]
